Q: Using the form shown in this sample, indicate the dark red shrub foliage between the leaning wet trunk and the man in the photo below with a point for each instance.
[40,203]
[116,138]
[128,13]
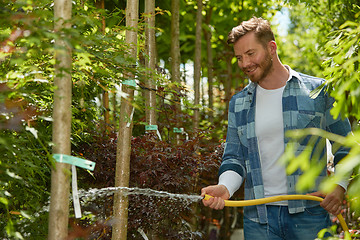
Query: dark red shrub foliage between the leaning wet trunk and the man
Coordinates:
[175,169]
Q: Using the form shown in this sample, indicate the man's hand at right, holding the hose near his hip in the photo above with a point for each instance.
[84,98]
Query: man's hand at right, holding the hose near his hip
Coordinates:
[333,201]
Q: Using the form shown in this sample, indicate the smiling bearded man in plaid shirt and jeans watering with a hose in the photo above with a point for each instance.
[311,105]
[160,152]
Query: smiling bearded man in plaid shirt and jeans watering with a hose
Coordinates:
[276,100]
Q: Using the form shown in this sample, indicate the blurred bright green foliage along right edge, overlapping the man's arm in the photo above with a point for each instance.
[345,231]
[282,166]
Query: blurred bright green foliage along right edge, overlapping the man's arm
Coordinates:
[341,70]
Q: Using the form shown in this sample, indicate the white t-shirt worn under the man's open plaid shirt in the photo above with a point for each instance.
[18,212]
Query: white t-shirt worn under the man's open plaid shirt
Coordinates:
[269,130]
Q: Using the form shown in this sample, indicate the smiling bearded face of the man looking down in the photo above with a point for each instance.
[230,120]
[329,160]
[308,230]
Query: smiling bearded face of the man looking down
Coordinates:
[253,58]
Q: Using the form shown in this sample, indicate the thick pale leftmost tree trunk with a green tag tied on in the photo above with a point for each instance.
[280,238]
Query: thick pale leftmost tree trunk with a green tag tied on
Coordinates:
[60,174]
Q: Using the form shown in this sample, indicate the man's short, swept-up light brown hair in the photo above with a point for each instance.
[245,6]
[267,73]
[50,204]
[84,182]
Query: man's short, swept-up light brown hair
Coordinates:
[259,26]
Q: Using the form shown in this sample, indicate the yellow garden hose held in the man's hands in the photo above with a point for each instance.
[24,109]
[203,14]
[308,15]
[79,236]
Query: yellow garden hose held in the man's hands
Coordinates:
[231,203]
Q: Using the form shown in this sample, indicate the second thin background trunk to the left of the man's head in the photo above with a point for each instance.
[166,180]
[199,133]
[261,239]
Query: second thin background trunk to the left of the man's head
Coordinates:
[197,64]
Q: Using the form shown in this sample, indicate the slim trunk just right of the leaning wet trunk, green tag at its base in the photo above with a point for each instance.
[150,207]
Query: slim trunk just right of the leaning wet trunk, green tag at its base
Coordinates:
[150,61]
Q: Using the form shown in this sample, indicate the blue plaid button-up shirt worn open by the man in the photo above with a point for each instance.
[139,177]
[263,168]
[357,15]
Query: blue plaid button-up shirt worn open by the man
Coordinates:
[241,152]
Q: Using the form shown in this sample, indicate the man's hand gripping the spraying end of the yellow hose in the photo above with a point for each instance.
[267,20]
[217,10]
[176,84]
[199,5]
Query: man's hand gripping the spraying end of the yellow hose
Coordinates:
[219,193]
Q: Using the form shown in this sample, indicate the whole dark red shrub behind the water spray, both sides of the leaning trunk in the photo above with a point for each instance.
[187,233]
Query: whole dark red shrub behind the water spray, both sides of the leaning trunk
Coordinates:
[160,166]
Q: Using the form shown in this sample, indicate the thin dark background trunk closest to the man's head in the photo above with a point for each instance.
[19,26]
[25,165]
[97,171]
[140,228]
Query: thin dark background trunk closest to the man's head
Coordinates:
[210,65]
